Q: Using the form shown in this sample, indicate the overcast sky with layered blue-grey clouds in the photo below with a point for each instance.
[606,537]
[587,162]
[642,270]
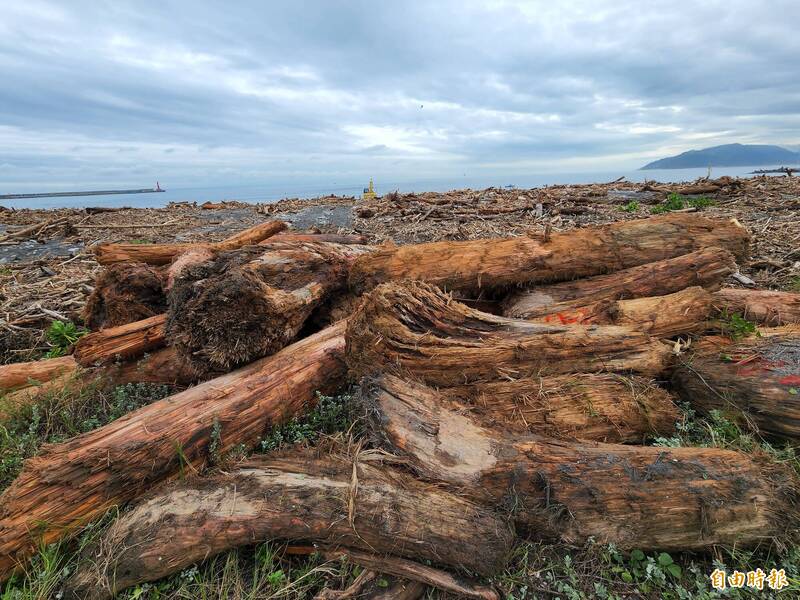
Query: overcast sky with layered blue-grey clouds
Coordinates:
[244,91]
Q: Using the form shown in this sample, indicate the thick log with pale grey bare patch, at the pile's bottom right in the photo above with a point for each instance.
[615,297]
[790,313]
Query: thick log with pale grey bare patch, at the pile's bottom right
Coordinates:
[632,496]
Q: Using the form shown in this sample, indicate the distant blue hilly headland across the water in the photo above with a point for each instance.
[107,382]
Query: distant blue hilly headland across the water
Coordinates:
[728,155]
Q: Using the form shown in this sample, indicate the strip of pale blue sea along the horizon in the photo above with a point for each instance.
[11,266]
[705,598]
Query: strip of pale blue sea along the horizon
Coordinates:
[273,191]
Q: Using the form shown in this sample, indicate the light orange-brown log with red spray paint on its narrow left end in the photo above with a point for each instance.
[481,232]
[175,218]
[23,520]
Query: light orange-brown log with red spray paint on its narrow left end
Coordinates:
[680,313]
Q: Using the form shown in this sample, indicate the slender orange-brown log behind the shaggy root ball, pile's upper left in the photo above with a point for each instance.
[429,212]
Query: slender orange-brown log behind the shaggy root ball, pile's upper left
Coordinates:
[163,254]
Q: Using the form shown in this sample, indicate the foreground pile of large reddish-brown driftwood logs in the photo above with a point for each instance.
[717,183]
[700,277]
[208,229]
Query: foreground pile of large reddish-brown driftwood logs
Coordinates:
[508,386]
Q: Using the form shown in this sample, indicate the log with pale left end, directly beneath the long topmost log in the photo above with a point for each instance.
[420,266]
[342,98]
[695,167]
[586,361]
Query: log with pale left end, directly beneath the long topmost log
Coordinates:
[706,268]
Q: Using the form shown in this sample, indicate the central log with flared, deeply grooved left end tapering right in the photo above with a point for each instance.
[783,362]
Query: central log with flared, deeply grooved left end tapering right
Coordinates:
[415,327]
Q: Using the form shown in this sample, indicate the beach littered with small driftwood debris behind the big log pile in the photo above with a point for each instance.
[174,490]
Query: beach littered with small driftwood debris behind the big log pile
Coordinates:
[47,273]
